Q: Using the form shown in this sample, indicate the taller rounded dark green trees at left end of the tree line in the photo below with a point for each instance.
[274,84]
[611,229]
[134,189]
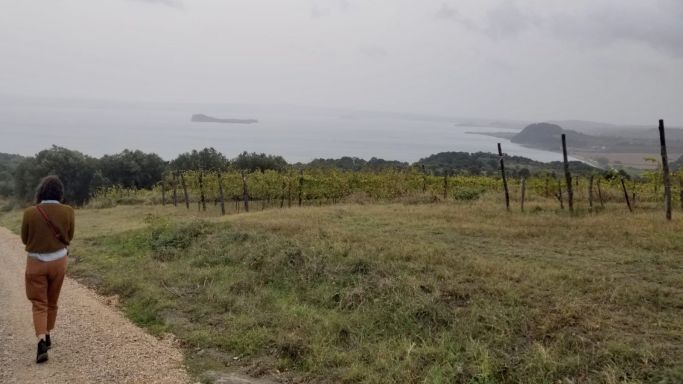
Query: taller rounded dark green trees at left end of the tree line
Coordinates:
[83,174]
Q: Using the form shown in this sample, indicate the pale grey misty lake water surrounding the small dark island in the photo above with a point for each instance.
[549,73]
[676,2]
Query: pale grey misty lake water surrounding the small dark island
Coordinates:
[298,134]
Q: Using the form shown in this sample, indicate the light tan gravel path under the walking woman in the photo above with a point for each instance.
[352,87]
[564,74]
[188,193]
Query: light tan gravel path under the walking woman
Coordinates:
[92,342]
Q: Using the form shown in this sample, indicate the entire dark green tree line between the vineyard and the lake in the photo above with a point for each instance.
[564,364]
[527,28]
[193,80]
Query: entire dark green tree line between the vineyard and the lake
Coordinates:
[83,175]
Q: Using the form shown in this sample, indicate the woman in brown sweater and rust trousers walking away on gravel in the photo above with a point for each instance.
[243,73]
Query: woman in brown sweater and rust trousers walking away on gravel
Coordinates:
[47,230]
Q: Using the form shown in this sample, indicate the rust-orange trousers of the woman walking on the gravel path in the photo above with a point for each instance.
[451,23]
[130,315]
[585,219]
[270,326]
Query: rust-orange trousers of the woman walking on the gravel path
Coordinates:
[43,284]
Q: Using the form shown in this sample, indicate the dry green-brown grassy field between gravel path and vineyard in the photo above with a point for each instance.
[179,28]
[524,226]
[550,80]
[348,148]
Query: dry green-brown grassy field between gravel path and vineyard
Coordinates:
[456,292]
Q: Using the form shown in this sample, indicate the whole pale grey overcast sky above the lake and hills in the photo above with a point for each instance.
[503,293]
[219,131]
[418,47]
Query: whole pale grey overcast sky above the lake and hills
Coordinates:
[607,60]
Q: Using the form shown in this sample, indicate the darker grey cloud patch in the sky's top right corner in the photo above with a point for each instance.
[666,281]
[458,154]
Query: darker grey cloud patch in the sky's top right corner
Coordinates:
[658,25]
